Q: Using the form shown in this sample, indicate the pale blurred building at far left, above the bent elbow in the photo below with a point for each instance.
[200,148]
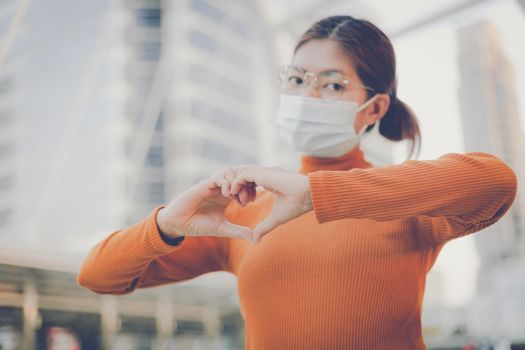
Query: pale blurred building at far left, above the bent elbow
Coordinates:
[62,140]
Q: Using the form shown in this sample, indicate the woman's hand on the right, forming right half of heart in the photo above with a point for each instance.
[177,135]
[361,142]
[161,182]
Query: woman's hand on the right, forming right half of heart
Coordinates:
[292,192]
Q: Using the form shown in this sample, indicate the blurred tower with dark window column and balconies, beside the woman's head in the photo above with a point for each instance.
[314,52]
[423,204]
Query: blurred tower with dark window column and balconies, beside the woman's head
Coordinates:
[200,73]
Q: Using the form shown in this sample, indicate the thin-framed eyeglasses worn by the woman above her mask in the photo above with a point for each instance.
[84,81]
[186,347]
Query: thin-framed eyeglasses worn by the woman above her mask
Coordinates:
[330,85]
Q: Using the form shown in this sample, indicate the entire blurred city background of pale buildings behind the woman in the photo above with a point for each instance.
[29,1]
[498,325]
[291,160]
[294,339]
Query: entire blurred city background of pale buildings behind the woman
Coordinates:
[110,108]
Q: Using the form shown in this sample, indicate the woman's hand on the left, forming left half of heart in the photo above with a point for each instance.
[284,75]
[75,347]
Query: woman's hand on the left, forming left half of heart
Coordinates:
[199,211]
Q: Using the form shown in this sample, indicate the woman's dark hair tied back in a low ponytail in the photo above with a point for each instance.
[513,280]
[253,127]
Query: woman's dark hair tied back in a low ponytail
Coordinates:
[374,60]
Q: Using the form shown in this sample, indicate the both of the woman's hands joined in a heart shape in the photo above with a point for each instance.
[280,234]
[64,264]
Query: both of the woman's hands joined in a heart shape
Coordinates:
[199,211]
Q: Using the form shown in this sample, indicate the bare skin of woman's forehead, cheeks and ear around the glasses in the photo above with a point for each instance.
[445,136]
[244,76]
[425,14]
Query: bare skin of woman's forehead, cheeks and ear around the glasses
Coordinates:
[326,55]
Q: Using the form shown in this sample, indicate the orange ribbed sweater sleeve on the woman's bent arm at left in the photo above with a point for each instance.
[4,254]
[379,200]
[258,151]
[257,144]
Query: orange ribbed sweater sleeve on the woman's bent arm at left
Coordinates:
[138,257]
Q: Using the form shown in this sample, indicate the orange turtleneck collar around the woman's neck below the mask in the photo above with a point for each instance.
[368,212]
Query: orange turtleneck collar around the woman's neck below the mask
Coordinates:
[353,159]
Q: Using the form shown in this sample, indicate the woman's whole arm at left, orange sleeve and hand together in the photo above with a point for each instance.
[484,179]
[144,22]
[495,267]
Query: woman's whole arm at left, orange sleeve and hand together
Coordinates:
[139,256]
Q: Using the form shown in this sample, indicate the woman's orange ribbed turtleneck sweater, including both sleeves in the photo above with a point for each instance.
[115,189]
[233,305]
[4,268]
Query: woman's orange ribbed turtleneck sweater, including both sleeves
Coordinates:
[348,275]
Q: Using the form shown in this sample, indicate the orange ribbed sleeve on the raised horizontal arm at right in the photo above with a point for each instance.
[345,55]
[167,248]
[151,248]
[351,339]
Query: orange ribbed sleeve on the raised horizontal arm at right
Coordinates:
[462,192]
